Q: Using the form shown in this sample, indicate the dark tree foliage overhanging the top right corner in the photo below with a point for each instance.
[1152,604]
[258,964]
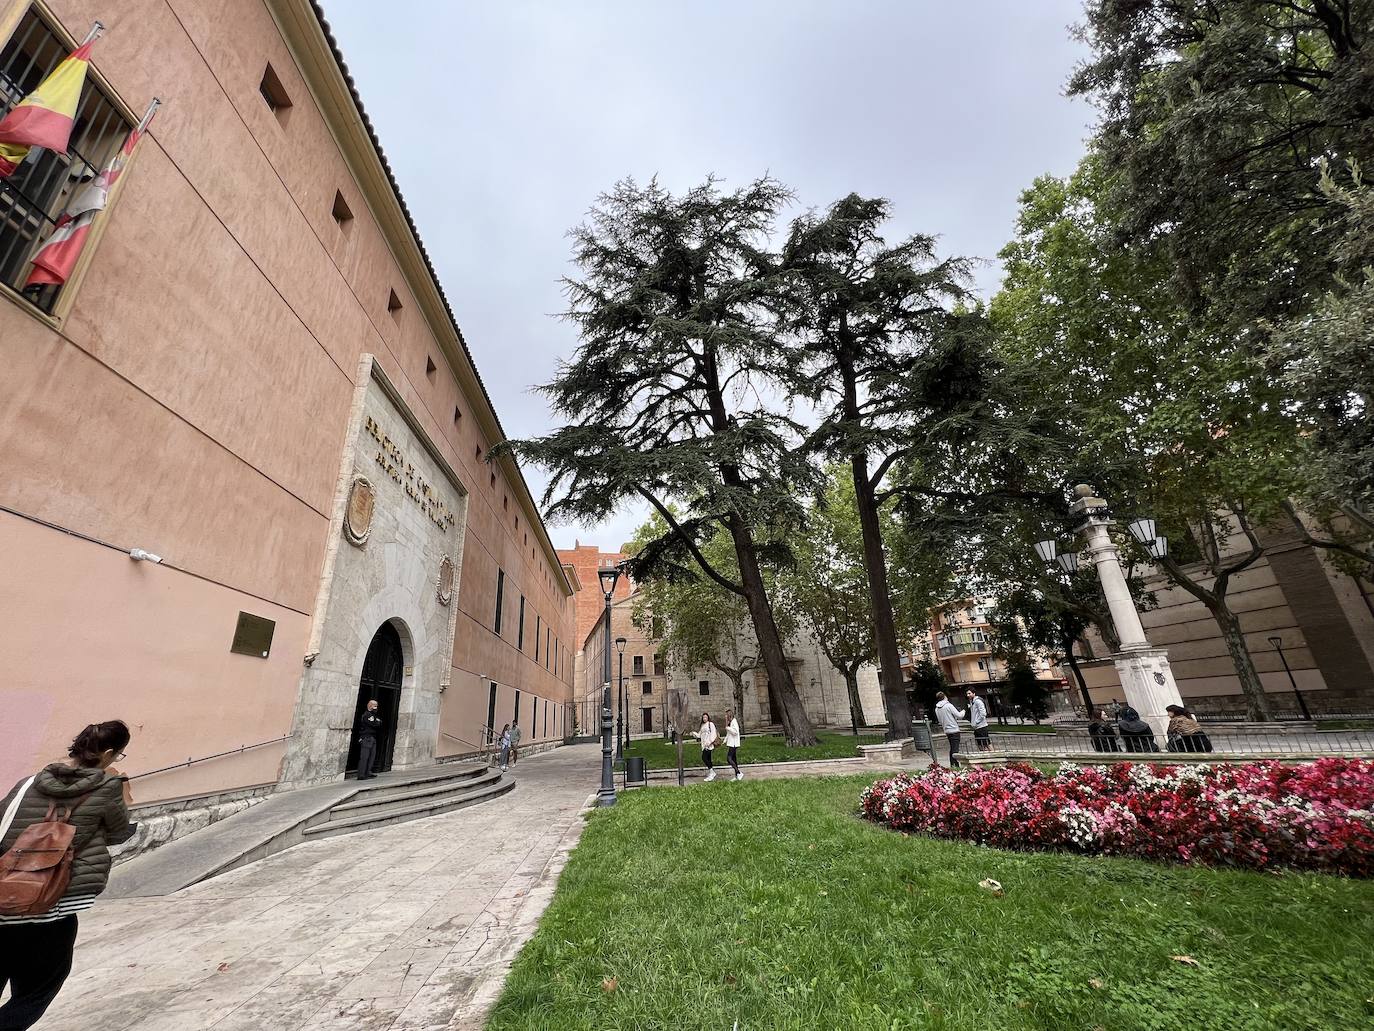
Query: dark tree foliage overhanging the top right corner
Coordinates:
[1237,135]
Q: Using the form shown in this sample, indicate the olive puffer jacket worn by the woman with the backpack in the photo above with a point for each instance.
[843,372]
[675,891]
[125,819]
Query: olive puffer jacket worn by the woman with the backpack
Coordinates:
[101,823]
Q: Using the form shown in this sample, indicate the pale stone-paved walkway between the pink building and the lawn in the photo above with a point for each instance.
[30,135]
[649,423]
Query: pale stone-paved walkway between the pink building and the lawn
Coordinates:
[409,929]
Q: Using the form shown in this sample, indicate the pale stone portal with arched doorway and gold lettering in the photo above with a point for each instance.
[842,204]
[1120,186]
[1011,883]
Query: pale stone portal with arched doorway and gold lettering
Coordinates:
[392,562]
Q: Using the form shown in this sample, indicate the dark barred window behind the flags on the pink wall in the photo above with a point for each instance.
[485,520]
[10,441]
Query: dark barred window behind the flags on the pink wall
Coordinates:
[36,196]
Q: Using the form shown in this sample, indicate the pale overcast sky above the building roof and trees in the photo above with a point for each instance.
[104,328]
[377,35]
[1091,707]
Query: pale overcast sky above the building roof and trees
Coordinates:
[505,120]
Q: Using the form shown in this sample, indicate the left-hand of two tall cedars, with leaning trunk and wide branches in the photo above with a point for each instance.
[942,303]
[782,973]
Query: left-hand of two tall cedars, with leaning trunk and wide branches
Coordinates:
[660,398]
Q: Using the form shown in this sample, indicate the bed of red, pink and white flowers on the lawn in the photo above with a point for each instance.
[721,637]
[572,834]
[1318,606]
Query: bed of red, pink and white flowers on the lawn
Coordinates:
[1258,816]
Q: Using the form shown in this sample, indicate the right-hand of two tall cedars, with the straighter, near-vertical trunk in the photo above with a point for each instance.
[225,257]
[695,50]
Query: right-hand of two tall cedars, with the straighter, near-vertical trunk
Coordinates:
[865,314]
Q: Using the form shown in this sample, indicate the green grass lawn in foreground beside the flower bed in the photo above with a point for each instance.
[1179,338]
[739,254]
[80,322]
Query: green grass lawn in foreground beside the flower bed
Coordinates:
[769,902]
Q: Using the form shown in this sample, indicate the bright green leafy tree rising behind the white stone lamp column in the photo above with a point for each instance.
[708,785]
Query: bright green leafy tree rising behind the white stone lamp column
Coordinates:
[1174,420]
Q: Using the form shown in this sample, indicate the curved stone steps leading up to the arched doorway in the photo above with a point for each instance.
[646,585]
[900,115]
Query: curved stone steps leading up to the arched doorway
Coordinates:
[385,801]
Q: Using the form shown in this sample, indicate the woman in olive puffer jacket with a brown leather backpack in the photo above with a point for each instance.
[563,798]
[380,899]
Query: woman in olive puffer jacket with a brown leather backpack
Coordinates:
[36,948]
